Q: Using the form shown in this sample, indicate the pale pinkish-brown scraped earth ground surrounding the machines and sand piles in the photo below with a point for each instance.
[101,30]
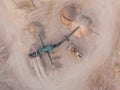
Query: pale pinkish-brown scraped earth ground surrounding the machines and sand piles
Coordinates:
[22,21]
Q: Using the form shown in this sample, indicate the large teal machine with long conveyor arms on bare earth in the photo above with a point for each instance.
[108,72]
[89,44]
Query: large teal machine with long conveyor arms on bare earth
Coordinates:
[48,48]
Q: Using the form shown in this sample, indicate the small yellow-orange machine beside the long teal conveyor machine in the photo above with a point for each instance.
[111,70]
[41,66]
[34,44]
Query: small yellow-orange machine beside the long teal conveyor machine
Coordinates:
[74,51]
